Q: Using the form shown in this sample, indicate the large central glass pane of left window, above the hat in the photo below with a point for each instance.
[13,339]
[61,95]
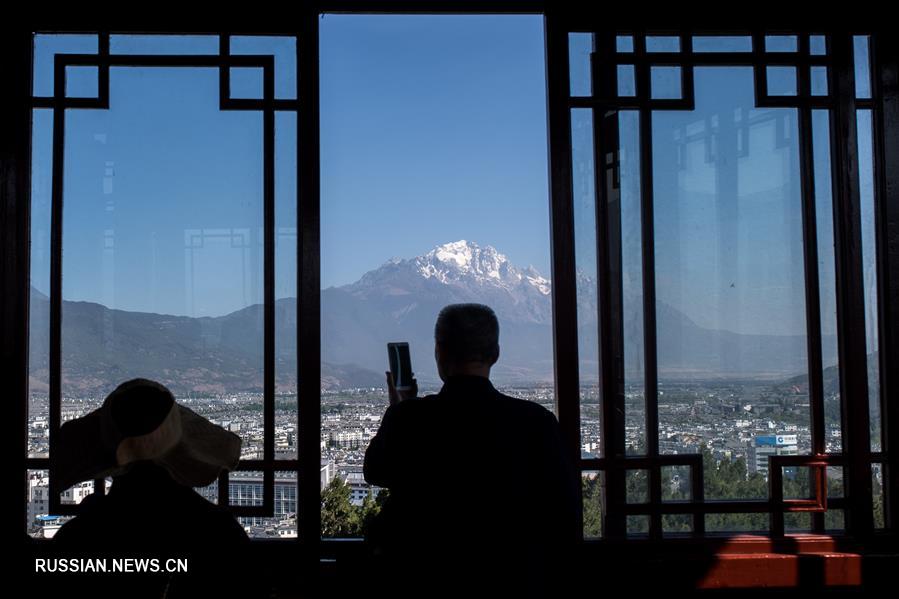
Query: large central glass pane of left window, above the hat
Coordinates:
[162,245]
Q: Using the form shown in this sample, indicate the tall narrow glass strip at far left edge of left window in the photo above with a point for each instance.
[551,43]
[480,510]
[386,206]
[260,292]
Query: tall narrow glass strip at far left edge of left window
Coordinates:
[39,306]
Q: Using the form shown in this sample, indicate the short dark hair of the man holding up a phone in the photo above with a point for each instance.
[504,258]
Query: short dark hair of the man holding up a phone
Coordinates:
[468,333]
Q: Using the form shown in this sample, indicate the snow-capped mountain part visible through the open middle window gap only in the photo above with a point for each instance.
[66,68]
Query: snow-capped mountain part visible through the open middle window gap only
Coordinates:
[400,300]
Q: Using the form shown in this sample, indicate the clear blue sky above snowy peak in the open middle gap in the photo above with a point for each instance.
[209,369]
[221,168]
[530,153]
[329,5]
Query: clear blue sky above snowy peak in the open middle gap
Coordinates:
[433,130]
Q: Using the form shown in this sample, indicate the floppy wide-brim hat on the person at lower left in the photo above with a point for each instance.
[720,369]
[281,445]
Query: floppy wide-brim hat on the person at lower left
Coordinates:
[140,421]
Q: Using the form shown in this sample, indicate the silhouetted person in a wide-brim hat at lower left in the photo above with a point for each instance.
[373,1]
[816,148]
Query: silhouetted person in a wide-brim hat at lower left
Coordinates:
[156,450]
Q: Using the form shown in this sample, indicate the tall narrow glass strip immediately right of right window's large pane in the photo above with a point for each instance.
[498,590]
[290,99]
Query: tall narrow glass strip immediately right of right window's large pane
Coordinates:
[826,281]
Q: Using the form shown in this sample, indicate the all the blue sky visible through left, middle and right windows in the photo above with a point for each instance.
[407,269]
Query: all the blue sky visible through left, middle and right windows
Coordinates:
[433,130]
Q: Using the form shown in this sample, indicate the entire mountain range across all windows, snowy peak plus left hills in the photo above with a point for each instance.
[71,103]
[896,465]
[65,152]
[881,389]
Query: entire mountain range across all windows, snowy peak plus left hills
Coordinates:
[399,301]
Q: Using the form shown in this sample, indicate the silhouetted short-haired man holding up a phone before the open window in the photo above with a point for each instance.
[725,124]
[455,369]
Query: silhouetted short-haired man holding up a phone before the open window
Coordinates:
[481,495]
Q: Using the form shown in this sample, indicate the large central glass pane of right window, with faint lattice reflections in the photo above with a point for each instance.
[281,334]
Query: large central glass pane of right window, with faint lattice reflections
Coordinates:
[730,305]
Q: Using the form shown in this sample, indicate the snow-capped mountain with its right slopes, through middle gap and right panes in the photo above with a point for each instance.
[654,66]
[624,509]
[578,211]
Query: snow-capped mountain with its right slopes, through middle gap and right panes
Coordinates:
[400,300]
